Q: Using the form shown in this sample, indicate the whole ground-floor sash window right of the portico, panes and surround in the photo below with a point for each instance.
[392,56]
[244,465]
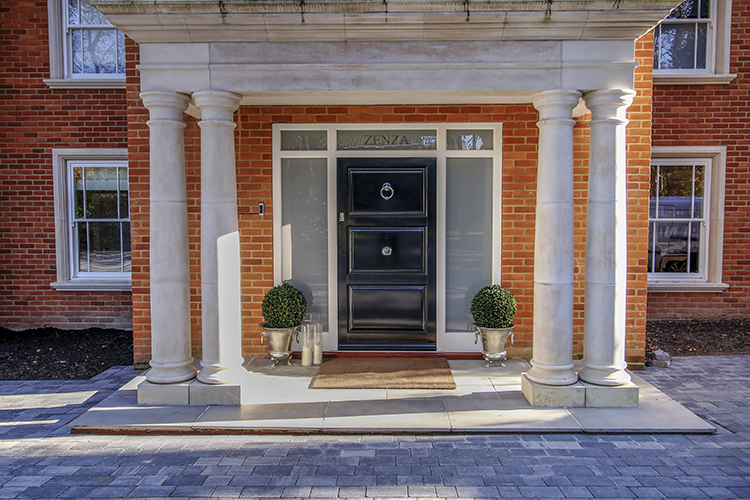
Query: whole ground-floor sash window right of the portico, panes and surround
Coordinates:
[686,219]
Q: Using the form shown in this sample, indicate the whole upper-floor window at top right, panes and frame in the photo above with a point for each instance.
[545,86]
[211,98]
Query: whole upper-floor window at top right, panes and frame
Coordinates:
[691,45]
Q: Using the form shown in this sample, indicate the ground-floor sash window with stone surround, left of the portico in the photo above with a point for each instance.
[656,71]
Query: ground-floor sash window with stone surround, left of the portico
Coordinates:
[92,219]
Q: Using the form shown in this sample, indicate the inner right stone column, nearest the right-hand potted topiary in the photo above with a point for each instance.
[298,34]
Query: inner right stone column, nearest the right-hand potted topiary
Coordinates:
[552,361]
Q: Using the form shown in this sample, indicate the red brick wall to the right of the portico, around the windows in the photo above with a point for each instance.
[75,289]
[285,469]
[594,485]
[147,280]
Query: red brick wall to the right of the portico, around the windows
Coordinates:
[715,115]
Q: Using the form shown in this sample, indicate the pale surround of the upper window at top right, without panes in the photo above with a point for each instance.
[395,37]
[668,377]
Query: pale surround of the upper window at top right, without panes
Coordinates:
[717,53]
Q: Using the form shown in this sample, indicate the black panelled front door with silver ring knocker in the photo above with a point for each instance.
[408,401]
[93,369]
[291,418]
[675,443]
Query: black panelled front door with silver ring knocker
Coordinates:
[386,256]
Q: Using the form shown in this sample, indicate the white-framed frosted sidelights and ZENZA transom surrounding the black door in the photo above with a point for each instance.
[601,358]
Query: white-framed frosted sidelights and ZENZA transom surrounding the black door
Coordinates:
[467,217]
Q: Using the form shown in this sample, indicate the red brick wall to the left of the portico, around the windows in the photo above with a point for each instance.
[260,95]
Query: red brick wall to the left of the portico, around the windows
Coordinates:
[33,120]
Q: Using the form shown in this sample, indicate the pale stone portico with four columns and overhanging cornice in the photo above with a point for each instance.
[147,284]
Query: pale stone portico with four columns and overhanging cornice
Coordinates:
[209,58]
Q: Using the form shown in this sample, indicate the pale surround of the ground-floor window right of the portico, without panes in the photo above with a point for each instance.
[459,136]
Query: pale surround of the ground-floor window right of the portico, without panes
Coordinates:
[713,246]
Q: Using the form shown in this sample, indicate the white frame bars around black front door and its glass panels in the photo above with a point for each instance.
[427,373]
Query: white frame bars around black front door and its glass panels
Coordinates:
[446,341]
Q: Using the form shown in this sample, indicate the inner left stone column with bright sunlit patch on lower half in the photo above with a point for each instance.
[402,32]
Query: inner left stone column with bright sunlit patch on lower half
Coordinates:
[220,244]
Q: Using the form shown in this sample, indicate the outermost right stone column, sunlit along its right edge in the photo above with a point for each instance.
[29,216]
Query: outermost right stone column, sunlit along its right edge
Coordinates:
[606,240]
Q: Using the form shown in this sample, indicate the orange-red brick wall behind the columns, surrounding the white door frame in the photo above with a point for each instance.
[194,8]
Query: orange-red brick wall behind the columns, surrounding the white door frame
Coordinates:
[254,174]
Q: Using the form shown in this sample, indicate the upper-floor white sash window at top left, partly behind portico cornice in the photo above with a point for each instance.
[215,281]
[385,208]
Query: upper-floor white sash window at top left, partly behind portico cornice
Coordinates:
[85,49]
